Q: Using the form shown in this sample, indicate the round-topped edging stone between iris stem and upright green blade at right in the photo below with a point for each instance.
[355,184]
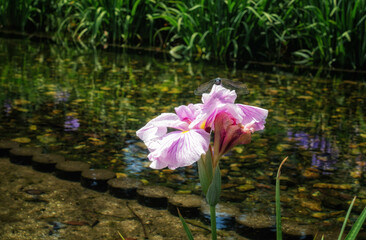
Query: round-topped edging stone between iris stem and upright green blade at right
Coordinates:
[256,226]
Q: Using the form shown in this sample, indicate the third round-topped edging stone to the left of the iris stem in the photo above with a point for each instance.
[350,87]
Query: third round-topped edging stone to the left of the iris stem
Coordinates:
[124,187]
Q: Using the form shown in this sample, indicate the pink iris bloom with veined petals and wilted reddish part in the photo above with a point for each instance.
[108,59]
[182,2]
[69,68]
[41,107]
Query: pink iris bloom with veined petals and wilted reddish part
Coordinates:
[191,126]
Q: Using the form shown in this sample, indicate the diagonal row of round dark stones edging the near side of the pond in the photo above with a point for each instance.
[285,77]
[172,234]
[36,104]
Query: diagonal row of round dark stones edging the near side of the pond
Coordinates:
[252,225]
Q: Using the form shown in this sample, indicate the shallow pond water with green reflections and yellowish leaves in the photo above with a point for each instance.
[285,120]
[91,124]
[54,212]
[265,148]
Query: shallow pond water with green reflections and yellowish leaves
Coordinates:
[88,104]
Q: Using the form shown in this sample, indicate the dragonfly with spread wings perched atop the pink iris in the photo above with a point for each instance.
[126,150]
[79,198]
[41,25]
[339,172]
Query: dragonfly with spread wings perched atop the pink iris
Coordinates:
[239,87]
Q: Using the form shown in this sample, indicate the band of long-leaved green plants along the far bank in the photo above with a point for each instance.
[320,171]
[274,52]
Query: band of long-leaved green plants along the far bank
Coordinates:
[331,33]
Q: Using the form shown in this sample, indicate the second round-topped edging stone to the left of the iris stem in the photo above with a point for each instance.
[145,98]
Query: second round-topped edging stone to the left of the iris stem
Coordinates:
[154,196]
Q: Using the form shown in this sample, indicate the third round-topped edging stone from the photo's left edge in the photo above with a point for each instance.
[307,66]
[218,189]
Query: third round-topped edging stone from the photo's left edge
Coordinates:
[46,162]
